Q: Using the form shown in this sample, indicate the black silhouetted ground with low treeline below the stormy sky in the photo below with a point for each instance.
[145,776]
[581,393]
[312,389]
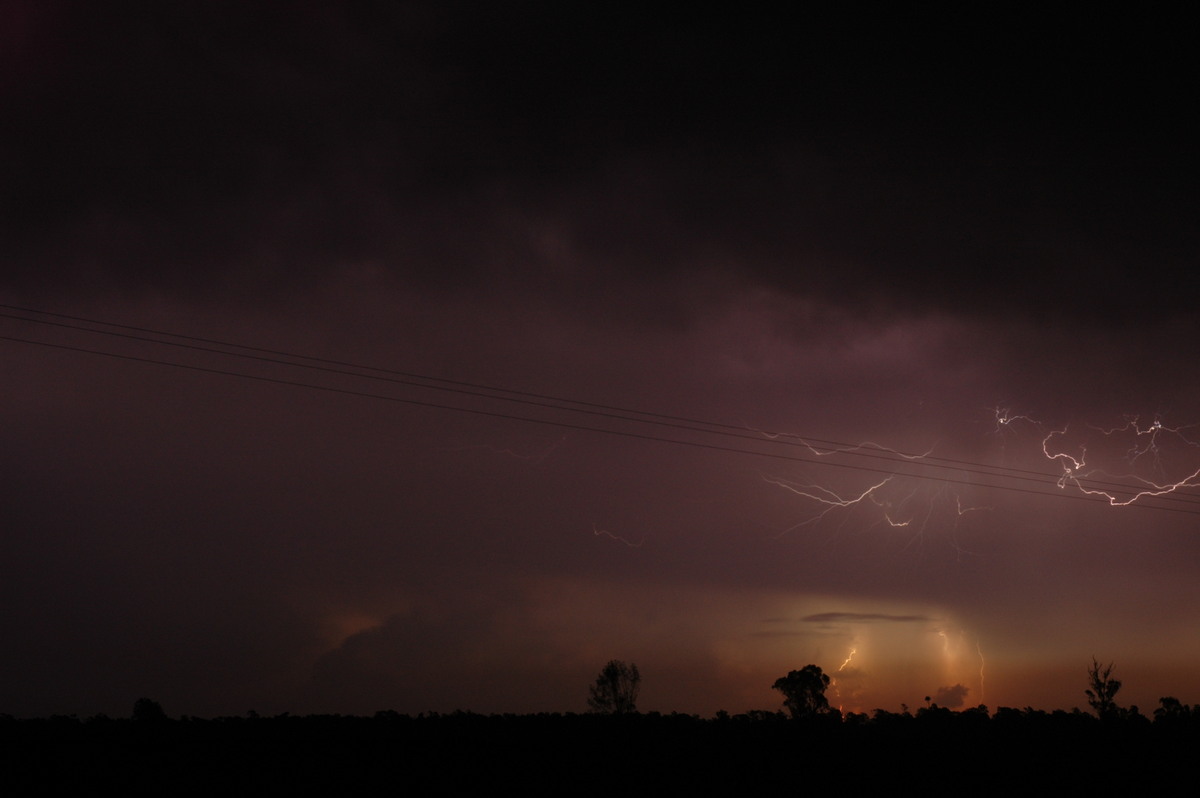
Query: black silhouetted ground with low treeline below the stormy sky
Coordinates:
[940,751]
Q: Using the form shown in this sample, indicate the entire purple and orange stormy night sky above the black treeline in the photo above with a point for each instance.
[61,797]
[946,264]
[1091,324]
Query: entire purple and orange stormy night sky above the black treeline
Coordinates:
[525,338]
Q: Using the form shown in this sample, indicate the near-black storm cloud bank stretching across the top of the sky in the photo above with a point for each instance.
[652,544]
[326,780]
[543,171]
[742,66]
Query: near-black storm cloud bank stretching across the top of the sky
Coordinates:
[1009,169]
